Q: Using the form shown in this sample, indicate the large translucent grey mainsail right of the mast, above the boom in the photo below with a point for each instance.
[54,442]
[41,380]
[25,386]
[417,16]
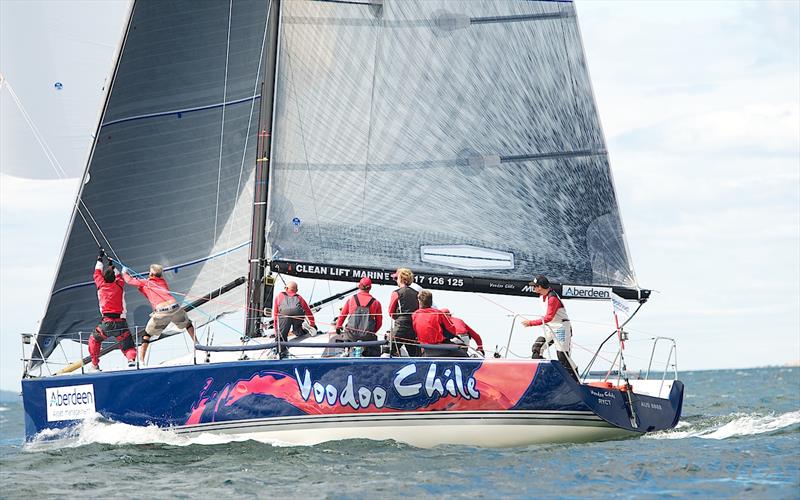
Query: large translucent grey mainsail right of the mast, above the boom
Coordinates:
[456,138]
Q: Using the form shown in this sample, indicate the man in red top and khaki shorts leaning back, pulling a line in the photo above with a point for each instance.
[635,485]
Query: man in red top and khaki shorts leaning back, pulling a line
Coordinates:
[166,309]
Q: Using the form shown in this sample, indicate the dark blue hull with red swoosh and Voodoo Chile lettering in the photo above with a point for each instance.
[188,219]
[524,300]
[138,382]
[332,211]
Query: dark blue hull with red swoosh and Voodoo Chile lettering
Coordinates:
[420,401]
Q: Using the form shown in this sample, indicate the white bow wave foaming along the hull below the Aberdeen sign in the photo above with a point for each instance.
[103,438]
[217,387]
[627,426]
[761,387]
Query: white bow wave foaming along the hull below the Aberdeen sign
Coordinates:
[98,430]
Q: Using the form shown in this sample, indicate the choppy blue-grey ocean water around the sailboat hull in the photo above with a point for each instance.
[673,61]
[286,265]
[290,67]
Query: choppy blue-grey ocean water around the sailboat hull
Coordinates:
[739,435]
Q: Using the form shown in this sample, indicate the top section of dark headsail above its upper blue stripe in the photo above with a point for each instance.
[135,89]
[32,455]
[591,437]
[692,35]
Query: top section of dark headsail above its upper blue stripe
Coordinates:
[175,56]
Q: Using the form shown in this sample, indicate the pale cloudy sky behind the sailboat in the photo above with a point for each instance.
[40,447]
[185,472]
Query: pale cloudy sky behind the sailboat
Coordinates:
[700,106]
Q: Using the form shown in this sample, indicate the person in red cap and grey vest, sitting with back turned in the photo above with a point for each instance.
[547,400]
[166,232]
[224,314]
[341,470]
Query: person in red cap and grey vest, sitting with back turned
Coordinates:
[366,317]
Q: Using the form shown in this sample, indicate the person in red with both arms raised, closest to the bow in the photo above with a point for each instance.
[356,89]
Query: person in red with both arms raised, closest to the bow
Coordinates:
[112,308]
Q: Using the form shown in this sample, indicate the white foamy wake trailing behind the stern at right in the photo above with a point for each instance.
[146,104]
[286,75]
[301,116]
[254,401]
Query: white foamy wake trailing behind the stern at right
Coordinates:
[733,425]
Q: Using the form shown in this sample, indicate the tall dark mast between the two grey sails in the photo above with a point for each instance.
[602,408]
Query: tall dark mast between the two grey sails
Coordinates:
[259,292]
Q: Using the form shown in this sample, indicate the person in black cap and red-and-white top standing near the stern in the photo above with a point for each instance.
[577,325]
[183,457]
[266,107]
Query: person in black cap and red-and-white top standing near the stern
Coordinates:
[556,325]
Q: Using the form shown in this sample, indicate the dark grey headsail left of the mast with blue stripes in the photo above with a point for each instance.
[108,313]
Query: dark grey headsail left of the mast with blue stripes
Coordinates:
[169,180]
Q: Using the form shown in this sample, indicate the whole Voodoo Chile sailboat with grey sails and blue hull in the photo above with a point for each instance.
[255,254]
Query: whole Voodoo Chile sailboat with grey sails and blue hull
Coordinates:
[249,140]
